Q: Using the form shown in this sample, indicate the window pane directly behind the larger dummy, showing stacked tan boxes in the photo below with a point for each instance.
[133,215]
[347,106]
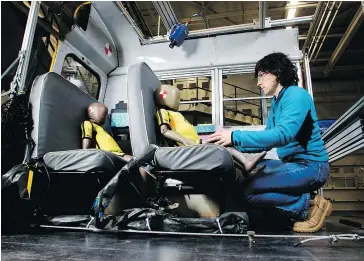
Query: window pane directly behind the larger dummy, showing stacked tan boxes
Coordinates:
[195,96]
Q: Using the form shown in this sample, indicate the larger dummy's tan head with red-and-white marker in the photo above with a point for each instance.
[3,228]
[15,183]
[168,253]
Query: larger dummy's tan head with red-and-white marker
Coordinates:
[168,96]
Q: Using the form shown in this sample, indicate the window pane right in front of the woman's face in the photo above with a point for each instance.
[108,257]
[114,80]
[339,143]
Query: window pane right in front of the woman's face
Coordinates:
[242,100]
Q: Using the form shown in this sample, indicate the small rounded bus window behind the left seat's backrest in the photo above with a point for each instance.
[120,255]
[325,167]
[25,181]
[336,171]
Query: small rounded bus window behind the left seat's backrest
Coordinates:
[81,76]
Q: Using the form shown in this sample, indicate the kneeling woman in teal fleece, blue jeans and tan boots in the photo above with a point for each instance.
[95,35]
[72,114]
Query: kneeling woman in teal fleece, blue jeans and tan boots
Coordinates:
[284,186]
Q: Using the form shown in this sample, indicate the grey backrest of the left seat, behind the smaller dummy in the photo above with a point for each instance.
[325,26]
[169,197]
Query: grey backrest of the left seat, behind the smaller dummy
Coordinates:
[58,109]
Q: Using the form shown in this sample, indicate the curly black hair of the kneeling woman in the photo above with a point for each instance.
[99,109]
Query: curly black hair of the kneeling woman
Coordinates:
[279,65]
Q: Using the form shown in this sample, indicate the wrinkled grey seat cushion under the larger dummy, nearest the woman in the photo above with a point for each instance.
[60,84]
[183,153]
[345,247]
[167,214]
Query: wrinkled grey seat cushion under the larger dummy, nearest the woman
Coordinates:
[194,158]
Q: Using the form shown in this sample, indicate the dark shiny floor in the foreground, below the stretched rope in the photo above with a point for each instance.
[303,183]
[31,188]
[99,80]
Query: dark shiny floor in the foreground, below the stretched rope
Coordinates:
[59,245]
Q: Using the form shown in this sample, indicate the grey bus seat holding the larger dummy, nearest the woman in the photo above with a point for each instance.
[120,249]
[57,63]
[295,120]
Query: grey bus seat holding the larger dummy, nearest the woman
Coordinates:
[183,163]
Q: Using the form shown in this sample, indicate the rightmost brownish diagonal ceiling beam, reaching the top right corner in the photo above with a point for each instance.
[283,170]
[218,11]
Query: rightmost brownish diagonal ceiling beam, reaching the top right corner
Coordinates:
[345,40]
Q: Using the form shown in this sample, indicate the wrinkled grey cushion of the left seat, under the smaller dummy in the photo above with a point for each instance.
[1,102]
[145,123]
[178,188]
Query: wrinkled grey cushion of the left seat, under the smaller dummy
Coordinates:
[84,161]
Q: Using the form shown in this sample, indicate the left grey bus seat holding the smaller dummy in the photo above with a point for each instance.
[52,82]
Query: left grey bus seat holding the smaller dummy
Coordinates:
[58,109]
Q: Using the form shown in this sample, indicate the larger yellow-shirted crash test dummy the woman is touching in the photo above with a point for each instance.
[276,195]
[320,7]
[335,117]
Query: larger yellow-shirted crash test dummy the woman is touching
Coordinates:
[174,126]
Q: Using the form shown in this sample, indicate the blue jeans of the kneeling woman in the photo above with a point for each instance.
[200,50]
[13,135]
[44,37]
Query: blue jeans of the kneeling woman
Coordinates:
[284,187]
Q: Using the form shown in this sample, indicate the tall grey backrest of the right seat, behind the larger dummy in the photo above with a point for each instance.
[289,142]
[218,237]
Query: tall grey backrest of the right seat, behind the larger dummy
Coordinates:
[142,82]
